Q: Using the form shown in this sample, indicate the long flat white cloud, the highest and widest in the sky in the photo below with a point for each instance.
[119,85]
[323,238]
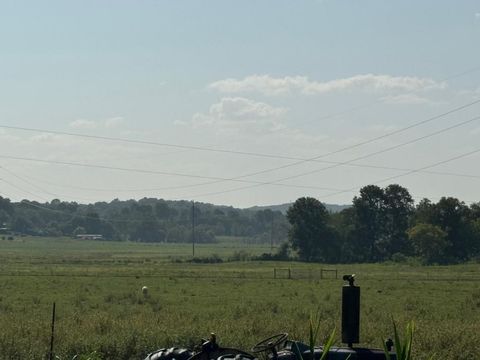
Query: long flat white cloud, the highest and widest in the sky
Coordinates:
[268,85]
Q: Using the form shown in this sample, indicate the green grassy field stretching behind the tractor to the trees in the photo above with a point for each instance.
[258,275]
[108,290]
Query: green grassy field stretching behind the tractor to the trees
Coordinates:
[100,307]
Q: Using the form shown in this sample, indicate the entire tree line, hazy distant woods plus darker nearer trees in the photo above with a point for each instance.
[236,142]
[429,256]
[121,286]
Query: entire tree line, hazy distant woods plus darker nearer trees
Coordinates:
[380,224]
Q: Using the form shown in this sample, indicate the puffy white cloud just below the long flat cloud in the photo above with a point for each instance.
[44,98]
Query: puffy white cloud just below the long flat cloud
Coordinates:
[237,113]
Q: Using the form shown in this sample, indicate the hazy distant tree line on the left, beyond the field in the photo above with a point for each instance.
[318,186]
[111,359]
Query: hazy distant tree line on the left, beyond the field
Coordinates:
[145,220]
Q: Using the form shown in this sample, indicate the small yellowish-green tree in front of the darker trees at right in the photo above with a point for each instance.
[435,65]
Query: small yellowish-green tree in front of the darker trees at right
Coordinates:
[429,242]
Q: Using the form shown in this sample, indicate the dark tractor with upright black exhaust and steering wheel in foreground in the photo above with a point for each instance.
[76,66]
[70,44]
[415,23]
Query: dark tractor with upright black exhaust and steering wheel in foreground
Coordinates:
[279,347]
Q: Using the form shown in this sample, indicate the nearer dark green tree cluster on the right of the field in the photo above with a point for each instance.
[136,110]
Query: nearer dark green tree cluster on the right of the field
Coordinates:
[384,224]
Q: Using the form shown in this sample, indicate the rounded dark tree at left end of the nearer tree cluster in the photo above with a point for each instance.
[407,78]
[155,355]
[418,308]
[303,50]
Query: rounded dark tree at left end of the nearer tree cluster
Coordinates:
[310,234]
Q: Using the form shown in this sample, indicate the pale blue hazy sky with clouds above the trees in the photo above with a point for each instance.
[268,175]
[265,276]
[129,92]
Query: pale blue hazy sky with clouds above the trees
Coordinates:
[238,103]
